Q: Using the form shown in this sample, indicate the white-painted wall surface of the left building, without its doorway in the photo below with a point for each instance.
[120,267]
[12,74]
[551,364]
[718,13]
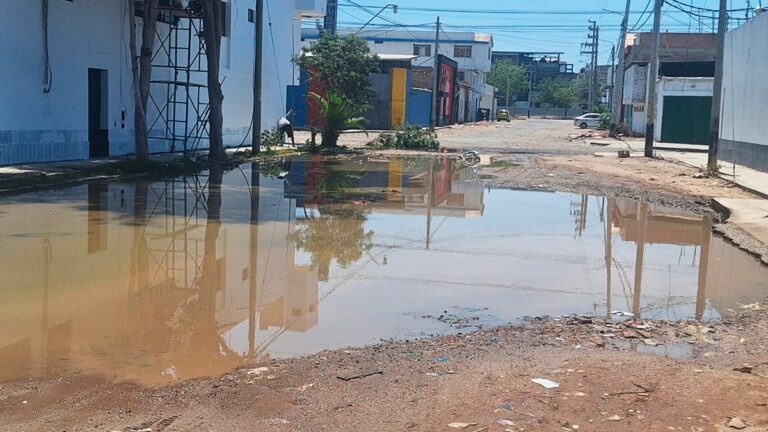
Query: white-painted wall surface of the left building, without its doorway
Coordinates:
[37,126]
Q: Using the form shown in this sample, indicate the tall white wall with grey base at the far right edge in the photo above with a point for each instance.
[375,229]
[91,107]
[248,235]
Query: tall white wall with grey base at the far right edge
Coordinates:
[744,129]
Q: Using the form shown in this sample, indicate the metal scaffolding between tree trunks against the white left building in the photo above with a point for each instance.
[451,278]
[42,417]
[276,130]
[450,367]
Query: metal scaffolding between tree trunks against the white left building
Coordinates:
[180,69]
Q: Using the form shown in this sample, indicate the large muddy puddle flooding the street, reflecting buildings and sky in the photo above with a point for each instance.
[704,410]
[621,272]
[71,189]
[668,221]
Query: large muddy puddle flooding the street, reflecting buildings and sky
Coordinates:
[159,281]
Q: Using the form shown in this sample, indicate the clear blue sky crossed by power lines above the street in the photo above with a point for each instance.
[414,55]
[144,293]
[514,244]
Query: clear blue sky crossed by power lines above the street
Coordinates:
[541,25]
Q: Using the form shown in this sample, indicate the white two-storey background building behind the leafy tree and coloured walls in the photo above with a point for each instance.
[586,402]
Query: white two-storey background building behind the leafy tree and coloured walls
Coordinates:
[471,50]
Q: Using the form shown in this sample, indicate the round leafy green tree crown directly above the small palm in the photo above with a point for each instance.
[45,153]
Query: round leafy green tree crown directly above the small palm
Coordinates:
[343,65]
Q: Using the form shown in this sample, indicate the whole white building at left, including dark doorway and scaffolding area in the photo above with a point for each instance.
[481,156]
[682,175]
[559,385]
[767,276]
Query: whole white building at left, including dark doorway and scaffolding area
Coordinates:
[72,96]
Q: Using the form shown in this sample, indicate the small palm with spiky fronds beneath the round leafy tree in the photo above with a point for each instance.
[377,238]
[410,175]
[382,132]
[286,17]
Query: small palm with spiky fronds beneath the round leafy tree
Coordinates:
[337,114]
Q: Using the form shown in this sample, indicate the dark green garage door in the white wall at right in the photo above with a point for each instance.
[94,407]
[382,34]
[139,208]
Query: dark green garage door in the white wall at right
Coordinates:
[686,119]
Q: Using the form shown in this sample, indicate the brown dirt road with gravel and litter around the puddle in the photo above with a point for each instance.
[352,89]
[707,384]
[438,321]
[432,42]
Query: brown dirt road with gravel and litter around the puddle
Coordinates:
[613,375]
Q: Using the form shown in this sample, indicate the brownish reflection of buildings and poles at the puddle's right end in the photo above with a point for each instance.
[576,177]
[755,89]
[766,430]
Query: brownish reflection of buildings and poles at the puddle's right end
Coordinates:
[727,277]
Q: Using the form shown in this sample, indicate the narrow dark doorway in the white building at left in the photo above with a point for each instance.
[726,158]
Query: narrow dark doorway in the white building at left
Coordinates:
[98,127]
